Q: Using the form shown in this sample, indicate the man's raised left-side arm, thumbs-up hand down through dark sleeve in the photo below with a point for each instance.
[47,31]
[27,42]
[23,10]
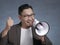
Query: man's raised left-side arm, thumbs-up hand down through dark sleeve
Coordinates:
[3,35]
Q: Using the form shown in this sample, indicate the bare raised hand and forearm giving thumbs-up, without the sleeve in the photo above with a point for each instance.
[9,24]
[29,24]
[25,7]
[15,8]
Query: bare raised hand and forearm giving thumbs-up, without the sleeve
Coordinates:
[8,26]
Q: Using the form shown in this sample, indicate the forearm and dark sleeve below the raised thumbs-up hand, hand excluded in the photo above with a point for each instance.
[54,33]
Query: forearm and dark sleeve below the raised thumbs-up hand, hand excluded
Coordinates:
[3,36]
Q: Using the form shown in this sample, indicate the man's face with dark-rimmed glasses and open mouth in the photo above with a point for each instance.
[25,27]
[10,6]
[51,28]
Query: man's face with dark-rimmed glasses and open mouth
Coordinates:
[27,17]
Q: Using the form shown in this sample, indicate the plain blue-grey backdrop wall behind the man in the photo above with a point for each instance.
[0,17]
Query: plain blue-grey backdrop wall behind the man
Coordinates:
[45,10]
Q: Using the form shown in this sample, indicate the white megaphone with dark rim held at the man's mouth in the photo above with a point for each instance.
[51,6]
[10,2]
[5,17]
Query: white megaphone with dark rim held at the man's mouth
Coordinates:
[41,28]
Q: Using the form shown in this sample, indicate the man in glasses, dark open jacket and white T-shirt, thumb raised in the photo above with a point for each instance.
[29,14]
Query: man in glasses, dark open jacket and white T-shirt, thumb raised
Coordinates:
[22,33]
